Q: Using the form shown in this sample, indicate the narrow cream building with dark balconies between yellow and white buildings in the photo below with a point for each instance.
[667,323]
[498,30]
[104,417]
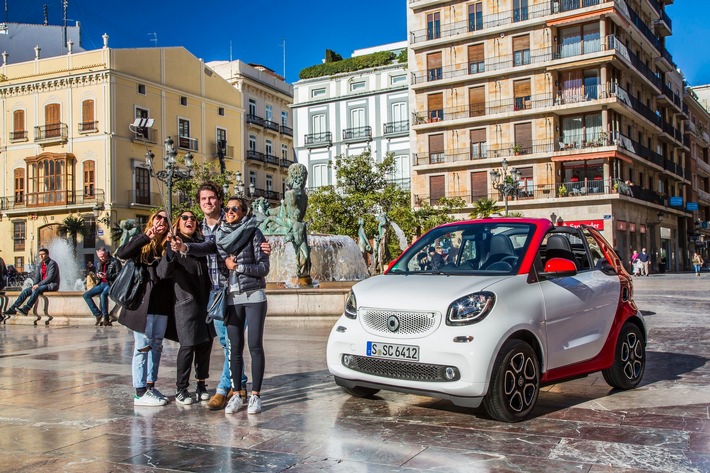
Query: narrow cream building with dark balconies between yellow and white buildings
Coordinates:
[268,131]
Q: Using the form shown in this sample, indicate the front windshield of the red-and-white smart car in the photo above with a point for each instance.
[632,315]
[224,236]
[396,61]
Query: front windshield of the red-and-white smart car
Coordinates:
[478,247]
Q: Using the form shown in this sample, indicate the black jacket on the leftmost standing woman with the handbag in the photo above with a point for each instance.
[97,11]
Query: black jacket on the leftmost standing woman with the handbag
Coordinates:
[159,296]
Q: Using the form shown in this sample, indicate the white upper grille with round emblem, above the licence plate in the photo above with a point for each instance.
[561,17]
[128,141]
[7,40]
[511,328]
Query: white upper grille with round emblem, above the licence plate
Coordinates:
[378,321]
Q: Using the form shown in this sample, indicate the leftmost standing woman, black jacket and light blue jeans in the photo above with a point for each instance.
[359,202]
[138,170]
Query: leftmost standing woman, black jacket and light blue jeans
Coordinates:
[148,321]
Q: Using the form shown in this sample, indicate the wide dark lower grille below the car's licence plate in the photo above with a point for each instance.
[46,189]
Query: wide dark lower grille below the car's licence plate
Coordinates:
[398,369]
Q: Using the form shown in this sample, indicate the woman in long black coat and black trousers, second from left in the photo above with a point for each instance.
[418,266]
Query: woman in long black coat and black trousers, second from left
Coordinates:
[191,284]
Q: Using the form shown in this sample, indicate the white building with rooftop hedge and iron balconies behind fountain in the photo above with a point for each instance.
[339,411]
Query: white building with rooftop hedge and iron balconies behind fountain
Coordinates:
[350,112]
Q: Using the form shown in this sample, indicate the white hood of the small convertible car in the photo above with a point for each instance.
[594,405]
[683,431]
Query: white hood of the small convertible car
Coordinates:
[419,292]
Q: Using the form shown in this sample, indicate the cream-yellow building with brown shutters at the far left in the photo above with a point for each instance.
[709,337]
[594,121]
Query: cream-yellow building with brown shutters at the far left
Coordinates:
[67,148]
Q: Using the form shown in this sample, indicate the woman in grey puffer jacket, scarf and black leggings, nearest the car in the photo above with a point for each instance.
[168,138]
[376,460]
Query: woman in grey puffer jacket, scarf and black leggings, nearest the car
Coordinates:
[239,244]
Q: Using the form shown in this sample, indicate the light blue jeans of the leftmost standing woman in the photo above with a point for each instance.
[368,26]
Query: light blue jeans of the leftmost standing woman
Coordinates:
[147,362]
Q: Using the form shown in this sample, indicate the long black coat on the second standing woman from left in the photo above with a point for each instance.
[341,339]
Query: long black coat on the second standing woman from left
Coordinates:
[191,285]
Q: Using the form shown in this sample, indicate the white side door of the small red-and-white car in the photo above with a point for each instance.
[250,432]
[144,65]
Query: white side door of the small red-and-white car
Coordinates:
[579,311]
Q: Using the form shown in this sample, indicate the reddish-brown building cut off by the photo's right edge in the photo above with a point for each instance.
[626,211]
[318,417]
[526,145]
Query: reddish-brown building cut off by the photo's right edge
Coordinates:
[697,133]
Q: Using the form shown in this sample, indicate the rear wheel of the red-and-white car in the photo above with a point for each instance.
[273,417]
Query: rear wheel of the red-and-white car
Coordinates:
[629,359]
